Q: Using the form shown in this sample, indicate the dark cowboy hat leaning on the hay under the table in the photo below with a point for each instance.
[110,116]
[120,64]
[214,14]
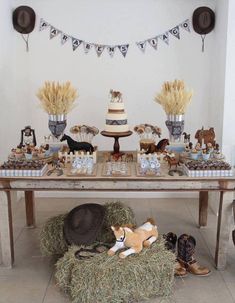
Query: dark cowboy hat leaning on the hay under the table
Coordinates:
[83,223]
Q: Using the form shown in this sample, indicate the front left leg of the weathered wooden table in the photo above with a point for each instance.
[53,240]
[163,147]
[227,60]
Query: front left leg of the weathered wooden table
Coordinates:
[6,230]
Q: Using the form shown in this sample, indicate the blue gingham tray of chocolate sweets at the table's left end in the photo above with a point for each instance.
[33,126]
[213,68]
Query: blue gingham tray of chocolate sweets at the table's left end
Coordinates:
[23,168]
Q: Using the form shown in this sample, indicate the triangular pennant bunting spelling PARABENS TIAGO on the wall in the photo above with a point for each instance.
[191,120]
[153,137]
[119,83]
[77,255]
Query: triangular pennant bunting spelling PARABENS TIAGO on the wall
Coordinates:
[123,48]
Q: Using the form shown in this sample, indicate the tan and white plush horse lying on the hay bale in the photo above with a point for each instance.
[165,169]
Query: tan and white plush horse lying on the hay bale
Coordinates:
[135,239]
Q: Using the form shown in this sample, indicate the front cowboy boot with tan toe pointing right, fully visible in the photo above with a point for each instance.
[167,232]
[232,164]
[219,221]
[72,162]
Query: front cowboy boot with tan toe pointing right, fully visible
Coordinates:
[186,251]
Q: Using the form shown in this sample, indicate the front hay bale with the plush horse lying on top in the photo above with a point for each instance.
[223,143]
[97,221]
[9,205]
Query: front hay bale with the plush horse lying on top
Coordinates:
[104,279]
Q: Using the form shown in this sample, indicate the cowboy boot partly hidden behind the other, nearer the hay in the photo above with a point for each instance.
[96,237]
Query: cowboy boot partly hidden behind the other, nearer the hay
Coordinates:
[170,244]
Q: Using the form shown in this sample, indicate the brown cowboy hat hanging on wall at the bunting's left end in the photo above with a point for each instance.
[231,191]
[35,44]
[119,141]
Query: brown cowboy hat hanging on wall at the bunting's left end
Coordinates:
[24,19]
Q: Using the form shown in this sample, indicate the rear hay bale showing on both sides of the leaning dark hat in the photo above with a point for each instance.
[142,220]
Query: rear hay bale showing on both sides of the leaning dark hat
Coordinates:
[52,238]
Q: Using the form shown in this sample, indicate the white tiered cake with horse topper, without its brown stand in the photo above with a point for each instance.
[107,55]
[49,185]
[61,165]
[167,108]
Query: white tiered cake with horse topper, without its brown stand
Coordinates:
[116,118]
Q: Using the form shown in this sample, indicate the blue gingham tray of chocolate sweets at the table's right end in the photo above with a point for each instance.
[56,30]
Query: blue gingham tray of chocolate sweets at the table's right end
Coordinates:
[209,168]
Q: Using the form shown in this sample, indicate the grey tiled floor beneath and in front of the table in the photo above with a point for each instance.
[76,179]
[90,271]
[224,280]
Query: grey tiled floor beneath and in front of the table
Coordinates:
[31,280]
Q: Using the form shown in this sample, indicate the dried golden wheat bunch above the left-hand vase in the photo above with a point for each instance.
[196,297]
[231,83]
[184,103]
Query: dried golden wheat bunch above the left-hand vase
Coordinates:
[56,98]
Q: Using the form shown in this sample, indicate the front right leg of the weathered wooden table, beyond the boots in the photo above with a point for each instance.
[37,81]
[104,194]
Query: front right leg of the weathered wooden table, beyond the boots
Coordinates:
[224,225]
